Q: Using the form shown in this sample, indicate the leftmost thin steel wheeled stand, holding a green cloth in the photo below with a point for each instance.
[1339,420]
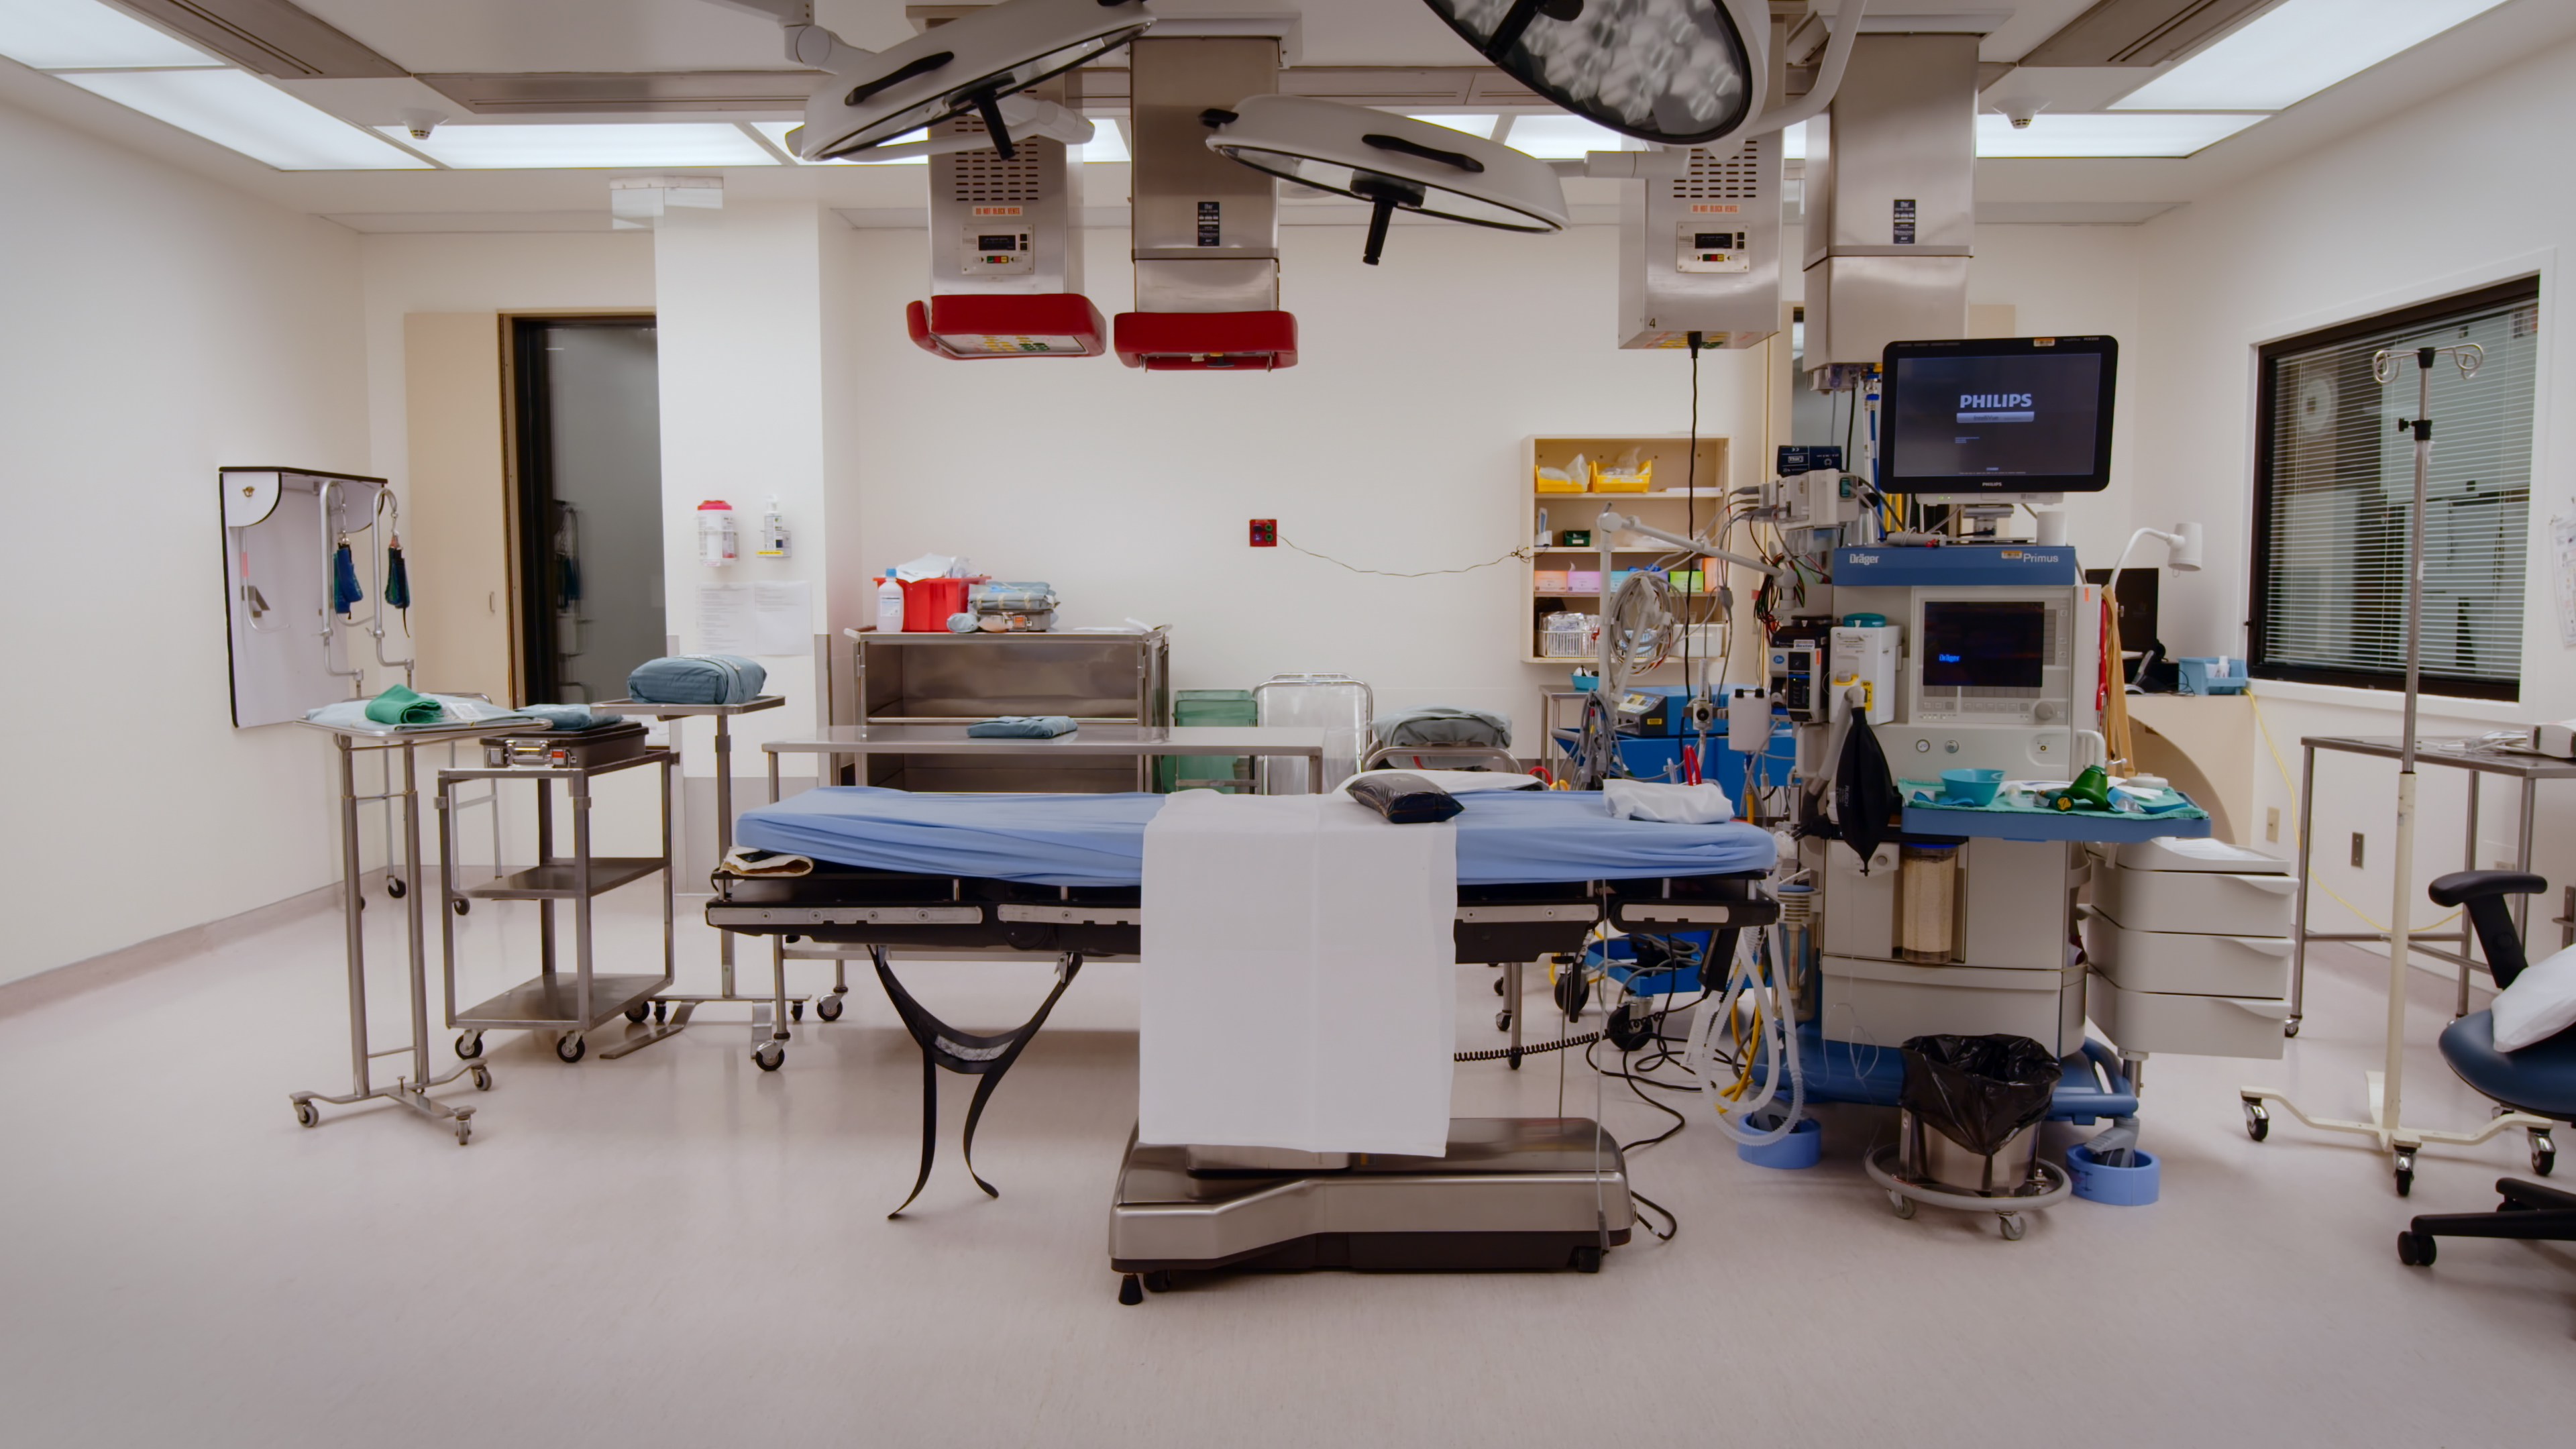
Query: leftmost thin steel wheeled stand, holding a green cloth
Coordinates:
[416,1087]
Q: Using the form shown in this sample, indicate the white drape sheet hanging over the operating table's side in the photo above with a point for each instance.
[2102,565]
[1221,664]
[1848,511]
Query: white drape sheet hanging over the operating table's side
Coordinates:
[1300,976]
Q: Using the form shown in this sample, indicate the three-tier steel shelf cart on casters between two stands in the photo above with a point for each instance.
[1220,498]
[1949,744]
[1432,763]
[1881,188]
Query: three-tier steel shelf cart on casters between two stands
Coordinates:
[550,1002]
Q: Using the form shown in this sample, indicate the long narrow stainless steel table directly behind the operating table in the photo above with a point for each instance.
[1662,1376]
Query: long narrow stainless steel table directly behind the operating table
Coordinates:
[1140,741]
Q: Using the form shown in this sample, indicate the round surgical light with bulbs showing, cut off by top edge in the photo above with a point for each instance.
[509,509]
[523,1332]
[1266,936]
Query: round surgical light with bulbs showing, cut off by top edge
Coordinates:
[1676,73]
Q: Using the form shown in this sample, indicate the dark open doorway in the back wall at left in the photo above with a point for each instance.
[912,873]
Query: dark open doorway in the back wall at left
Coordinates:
[589,504]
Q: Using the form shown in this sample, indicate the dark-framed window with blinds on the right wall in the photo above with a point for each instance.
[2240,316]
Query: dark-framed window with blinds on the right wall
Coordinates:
[2335,486]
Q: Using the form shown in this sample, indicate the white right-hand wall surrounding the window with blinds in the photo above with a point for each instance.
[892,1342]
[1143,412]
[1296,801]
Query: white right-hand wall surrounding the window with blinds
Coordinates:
[2438,200]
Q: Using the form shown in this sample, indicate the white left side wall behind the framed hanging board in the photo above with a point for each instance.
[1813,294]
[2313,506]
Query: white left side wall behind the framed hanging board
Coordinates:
[158,329]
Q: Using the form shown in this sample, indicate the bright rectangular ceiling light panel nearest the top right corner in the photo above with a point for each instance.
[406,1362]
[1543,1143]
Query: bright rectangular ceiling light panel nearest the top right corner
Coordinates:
[2297,50]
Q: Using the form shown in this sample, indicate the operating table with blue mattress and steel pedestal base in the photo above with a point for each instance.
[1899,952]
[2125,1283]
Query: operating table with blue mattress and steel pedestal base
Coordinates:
[939,873]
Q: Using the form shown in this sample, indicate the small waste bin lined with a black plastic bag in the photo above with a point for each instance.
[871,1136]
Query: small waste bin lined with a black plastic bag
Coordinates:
[1982,1097]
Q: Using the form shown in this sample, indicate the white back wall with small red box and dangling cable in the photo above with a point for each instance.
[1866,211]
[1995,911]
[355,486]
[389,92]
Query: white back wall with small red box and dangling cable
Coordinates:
[1395,445]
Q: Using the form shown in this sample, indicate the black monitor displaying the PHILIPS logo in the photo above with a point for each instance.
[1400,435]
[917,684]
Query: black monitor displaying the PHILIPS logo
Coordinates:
[2013,416]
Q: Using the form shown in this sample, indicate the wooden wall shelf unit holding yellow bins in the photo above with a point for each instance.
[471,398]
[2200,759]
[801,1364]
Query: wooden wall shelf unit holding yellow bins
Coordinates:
[1686,494]
